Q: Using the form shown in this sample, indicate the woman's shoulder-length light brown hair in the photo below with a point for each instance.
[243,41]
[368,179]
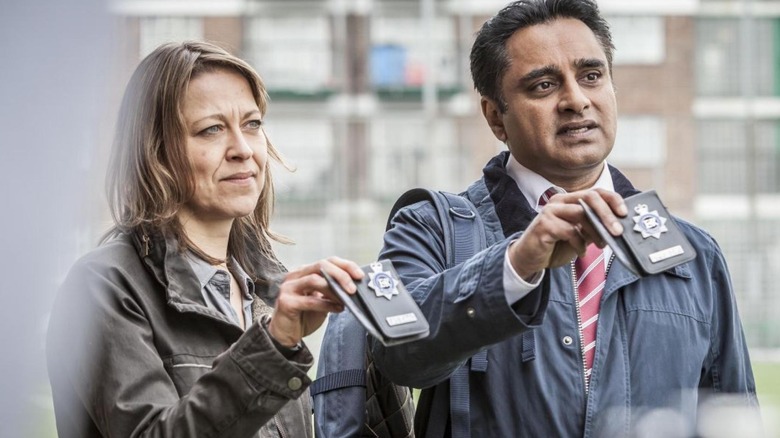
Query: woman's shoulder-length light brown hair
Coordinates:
[150,176]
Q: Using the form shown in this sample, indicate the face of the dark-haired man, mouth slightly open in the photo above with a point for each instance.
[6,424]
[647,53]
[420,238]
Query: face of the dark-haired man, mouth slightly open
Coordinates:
[560,117]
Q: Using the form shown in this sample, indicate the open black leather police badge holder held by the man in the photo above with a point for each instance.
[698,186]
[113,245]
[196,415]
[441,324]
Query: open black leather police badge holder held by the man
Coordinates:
[651,241]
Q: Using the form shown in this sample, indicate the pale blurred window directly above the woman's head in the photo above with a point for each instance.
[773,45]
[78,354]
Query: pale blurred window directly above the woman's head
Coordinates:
[158,30]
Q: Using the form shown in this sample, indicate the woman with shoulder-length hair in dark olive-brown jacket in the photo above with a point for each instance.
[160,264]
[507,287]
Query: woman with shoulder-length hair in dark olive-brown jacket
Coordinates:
[165,329]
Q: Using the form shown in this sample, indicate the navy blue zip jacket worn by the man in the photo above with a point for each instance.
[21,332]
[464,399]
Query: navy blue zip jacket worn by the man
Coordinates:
[664,342]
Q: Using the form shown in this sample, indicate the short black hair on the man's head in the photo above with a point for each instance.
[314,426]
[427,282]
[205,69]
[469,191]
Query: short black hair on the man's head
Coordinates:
[489,59]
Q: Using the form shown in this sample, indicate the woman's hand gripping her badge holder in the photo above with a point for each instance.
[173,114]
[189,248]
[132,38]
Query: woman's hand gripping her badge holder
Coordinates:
[305,299]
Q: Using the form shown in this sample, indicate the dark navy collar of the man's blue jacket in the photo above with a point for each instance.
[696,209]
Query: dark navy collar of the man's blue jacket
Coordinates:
[511,206]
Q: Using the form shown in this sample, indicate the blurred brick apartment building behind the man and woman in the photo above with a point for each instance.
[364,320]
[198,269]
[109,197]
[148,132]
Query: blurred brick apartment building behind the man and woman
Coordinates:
[371,97]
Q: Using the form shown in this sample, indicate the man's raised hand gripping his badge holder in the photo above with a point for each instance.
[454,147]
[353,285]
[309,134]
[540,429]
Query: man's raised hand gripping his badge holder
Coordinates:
[561,231]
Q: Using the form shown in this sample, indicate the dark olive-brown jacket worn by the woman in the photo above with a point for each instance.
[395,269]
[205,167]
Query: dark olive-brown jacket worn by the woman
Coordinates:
[133,351]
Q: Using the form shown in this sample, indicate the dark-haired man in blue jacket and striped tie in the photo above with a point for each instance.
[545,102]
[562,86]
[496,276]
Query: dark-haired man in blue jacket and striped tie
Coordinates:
[566,355]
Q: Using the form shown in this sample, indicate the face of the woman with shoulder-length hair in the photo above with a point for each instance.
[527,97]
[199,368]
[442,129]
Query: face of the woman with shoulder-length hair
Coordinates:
[226,145]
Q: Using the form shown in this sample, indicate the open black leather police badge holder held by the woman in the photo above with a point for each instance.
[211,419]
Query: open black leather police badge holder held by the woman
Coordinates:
[383,305]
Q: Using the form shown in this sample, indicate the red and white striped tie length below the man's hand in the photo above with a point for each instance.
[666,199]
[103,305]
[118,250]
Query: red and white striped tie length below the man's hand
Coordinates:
[591,276]
